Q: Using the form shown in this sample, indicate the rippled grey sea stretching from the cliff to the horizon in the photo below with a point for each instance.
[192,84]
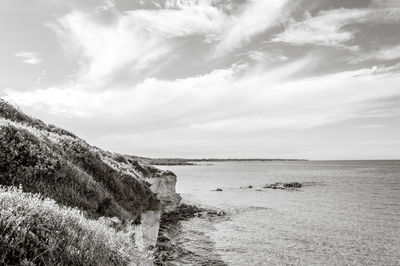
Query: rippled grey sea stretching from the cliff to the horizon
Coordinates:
[347,213]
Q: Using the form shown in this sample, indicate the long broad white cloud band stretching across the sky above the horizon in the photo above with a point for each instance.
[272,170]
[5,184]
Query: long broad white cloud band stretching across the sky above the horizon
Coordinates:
[235,99]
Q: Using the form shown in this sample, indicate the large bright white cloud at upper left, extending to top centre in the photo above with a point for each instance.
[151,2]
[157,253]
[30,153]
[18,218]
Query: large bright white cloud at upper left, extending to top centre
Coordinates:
[134,41]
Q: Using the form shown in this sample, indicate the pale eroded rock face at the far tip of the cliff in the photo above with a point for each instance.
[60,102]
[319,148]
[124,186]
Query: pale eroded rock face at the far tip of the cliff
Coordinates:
[165,188]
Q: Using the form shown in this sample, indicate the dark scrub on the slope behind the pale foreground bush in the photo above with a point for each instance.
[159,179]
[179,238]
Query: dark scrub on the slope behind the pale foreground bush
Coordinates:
[46,160]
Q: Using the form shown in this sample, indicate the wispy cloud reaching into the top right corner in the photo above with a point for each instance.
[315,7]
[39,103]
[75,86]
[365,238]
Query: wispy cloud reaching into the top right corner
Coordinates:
[336,27]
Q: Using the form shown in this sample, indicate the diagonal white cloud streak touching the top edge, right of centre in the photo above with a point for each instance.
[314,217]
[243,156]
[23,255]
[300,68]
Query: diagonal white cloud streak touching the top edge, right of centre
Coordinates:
[256,17]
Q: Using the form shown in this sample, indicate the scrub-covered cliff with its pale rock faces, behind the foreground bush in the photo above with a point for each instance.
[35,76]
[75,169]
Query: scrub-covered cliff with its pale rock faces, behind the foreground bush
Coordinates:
[43,159]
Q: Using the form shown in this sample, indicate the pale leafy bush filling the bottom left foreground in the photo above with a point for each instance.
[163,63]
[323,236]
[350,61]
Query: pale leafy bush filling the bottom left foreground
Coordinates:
[37,231]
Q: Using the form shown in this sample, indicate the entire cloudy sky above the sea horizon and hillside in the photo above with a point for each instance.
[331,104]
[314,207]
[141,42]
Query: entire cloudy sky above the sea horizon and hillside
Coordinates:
[311,79]
